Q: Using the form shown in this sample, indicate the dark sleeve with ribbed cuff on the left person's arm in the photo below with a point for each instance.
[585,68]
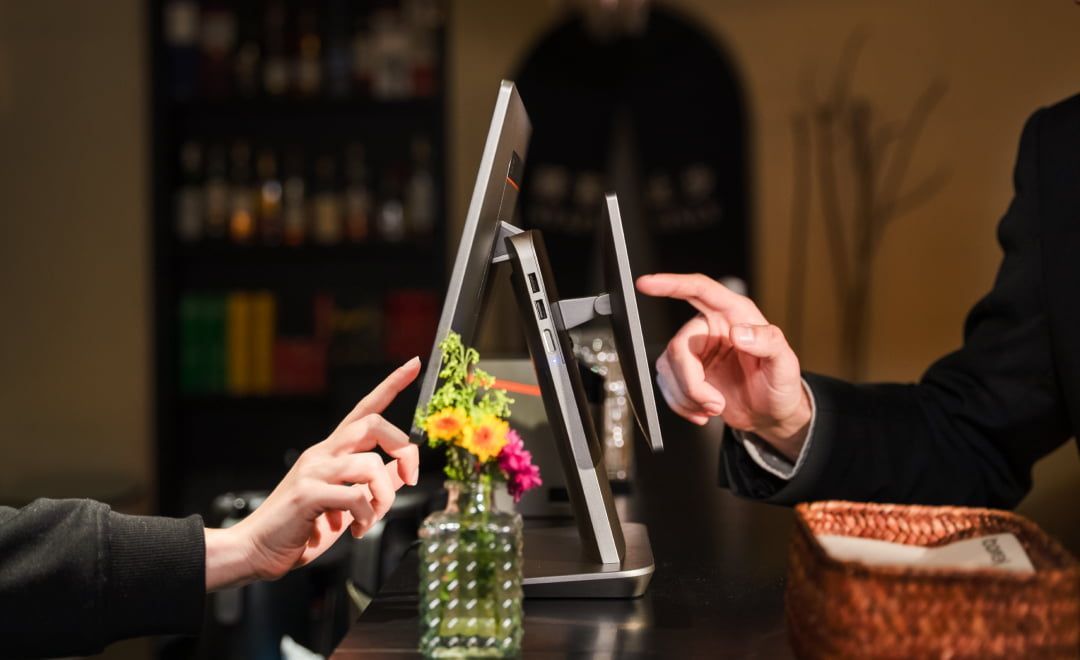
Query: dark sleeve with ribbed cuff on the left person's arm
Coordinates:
[76,576]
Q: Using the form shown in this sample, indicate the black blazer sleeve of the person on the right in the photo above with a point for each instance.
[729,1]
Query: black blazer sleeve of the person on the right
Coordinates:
[971,429]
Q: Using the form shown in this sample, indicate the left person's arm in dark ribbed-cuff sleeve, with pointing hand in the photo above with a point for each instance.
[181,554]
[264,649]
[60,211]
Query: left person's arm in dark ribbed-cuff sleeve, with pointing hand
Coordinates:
[76,576]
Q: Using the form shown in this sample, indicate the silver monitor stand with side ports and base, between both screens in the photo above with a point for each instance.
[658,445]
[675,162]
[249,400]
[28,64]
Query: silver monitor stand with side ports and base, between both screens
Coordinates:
[601,558]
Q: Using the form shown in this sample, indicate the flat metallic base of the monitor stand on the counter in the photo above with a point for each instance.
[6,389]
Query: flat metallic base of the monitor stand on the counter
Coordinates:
[556,569]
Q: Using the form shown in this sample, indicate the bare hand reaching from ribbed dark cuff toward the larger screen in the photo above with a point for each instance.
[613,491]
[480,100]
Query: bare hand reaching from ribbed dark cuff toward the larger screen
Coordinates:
[335,484]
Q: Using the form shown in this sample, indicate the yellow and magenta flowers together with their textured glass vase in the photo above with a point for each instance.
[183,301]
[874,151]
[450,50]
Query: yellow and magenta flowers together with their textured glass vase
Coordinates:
[471,554]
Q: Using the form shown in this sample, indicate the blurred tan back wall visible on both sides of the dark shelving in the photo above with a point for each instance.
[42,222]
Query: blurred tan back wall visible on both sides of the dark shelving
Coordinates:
[74,155]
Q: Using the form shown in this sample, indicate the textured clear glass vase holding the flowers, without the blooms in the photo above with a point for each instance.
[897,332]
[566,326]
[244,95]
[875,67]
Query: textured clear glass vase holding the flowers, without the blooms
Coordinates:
[471,577]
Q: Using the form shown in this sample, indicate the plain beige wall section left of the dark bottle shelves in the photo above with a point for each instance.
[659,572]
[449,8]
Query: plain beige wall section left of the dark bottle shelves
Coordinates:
[75,253]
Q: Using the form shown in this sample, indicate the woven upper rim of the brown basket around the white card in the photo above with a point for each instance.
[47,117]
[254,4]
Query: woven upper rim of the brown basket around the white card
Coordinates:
[938,575]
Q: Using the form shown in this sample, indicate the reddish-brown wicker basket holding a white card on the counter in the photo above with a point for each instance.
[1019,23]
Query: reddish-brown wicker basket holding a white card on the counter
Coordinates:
[849,610]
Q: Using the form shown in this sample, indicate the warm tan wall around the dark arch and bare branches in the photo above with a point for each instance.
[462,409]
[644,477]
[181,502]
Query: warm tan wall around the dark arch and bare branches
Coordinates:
[1001,60]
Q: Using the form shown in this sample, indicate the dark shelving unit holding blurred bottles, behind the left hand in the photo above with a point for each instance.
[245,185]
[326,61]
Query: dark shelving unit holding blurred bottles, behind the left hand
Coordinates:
[210,442]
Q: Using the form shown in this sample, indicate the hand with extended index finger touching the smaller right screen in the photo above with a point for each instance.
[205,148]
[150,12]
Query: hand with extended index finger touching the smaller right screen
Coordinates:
[730,362]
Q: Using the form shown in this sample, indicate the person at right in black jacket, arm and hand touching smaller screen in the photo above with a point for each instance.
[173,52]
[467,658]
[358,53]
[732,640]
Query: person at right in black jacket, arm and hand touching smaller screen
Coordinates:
[968,433]
